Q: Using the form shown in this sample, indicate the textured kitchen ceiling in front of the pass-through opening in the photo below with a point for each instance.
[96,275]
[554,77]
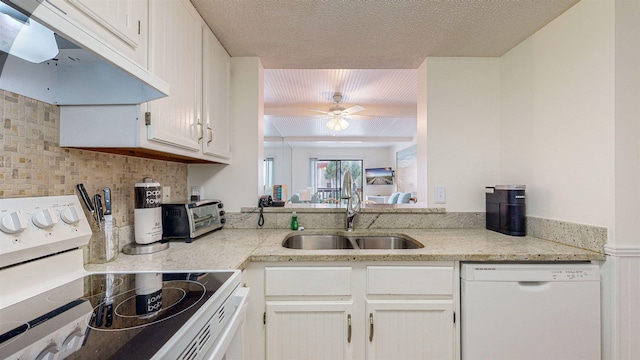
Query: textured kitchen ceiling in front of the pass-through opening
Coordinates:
[337,34]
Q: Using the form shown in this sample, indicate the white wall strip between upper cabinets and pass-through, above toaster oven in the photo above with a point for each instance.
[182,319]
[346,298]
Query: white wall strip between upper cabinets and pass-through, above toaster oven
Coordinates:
[240,183]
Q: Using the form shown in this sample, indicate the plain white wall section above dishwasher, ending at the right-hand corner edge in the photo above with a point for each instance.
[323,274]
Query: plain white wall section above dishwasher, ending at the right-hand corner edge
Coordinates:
[558,116]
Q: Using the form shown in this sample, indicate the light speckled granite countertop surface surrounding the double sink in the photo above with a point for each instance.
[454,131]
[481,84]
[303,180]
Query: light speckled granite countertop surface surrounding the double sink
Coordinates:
[234,248]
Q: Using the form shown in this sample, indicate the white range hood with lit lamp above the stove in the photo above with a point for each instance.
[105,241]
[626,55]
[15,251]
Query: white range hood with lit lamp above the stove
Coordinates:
[85,70]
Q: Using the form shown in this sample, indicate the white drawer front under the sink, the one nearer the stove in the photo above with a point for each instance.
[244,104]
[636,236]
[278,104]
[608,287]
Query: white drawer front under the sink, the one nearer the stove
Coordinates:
[307,281]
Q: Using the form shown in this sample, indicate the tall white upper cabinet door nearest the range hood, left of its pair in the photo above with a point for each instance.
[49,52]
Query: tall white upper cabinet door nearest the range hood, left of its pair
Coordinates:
[176,57]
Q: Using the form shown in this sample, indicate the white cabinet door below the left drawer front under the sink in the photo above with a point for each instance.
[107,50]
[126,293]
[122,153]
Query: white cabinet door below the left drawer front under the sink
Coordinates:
[308,330]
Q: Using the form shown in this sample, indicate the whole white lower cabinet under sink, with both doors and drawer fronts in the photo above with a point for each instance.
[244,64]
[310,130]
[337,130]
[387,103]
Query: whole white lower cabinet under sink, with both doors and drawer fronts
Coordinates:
[355,311]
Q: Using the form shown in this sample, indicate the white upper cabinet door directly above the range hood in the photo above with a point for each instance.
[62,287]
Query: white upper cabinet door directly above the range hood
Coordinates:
[124,20]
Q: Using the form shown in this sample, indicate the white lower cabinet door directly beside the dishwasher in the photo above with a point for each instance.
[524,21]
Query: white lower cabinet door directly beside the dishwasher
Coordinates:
[409,329]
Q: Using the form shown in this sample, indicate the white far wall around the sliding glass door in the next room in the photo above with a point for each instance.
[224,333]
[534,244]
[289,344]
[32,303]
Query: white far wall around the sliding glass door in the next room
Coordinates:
[371,157]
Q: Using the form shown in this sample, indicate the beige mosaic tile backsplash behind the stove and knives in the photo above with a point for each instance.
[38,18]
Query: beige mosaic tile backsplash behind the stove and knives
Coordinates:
[32,163]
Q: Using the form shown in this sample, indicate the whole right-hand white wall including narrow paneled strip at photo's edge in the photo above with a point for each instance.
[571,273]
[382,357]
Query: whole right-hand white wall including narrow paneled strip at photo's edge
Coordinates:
[571,125]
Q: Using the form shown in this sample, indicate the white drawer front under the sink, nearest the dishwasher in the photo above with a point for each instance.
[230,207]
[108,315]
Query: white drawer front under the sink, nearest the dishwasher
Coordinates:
[409,280]
